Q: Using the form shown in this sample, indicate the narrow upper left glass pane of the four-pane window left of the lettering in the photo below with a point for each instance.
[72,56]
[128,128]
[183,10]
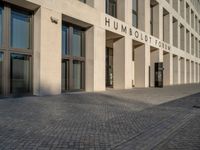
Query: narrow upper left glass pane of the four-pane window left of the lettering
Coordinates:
[65,38]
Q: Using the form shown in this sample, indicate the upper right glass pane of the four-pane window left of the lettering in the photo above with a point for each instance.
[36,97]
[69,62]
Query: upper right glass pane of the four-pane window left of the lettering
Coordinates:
[77,42]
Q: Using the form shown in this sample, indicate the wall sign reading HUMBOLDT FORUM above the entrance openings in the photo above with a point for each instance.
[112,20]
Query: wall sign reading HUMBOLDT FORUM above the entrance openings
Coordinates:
[120,27]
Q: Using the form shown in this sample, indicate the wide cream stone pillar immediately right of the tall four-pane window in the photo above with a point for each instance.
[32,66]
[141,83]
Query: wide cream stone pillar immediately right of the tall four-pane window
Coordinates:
[95,59]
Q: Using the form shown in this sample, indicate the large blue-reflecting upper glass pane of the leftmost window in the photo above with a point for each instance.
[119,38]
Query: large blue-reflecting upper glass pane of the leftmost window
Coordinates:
[20,30]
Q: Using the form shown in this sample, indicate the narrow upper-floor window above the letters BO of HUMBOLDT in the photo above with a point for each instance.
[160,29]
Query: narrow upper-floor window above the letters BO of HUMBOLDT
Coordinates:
[135,13]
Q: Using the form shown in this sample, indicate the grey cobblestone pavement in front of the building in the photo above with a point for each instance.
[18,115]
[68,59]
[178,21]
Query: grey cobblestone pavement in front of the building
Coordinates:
[145,119]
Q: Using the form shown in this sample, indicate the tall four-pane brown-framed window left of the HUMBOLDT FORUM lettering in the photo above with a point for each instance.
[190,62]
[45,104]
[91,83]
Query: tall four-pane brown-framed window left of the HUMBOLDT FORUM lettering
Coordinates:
[73,59]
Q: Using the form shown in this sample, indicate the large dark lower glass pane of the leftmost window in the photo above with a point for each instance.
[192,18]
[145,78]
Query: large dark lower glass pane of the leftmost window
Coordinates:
[20,74]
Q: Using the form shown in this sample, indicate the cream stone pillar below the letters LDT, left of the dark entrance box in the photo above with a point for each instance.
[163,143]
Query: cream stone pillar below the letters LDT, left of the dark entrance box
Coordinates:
[142,64]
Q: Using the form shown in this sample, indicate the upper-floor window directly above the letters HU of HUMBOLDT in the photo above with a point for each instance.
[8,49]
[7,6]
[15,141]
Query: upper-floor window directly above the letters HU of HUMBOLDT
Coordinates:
[111,7]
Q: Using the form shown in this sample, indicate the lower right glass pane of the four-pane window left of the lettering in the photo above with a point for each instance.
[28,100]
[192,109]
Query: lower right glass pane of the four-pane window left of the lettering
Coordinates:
[77,75]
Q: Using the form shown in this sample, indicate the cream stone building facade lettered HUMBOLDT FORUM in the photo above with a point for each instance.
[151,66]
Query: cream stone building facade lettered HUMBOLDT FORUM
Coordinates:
[53,46]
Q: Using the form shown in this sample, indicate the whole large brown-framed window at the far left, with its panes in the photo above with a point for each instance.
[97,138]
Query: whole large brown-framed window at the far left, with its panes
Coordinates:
[17,47]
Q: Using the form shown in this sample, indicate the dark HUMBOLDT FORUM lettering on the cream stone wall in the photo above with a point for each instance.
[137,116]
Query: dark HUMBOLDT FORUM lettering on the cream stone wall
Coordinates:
[136,34]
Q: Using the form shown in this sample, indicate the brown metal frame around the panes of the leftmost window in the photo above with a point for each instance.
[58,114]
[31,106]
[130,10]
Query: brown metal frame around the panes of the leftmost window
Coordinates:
[7,50]
